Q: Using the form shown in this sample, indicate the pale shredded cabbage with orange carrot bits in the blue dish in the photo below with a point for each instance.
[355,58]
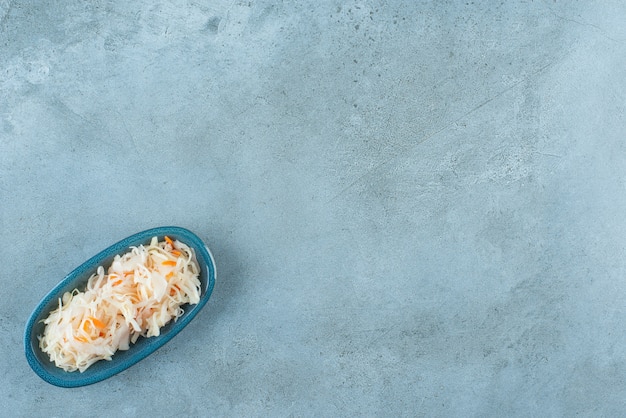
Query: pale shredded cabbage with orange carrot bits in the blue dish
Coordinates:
[141,291]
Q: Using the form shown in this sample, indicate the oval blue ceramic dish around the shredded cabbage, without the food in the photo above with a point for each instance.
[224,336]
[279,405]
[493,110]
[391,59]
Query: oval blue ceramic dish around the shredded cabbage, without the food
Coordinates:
[40,362]
